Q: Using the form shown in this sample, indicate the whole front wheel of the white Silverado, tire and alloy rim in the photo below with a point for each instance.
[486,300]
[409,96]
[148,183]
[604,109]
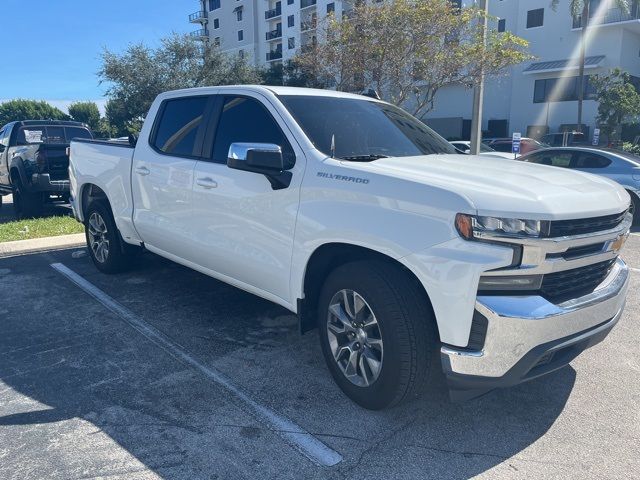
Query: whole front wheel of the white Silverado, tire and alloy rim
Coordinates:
[377,333]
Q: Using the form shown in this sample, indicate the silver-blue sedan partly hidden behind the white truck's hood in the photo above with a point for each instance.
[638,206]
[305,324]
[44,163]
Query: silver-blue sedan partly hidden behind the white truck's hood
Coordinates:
[619,166]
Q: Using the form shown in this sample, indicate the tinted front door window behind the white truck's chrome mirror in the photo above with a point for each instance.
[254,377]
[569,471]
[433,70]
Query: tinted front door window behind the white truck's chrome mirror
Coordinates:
[247,120]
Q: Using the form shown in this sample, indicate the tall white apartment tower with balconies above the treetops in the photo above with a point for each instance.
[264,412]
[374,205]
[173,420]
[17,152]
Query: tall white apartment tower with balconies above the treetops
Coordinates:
[264,31]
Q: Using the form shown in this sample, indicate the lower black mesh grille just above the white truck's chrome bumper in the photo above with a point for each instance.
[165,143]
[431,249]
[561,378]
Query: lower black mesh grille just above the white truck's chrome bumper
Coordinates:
[560,286]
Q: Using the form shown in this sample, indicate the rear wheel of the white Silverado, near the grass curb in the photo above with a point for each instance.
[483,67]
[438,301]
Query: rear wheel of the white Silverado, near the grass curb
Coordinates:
[116,257]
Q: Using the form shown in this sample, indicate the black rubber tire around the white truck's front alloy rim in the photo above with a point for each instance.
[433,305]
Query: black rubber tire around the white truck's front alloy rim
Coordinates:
[405,324]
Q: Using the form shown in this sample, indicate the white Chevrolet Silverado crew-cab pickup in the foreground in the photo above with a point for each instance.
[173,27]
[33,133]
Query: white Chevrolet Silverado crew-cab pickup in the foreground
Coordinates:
[408,258]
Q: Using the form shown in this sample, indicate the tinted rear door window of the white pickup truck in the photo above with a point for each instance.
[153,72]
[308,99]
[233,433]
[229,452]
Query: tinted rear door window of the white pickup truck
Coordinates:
[177,129]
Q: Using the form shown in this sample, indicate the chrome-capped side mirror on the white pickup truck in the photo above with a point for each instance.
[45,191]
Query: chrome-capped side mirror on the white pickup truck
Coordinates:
[263,158]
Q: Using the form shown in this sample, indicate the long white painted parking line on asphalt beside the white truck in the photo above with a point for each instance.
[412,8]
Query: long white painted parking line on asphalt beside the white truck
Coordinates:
[296,436]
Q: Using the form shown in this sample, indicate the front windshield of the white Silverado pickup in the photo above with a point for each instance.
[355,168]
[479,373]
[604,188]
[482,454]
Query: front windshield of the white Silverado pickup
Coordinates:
[363,128]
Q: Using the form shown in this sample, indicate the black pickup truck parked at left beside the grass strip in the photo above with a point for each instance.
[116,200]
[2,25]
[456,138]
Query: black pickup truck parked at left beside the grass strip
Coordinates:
[34,163]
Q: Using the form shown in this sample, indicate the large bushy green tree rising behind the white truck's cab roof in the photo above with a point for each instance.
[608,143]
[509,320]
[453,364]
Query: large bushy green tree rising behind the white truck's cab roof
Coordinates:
[134,78]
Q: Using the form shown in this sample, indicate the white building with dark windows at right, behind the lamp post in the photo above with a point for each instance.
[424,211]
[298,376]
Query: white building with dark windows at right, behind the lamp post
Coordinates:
[540,96]
